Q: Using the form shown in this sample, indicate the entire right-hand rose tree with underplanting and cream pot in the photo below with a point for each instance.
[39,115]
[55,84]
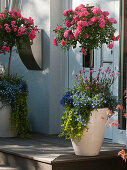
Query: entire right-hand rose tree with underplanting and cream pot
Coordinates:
[89,27]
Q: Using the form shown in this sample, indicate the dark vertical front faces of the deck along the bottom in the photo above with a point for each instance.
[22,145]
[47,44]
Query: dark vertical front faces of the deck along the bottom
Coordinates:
[104,161]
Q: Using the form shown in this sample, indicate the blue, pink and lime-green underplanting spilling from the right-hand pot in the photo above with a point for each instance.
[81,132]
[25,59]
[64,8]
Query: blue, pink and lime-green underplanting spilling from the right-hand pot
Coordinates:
[85,96]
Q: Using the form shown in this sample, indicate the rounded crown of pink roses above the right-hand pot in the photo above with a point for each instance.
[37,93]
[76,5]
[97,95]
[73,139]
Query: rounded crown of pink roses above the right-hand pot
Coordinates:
[90,27]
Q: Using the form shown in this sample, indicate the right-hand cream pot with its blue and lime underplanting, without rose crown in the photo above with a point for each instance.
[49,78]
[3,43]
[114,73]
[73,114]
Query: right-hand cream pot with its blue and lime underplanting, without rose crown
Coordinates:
[87,106]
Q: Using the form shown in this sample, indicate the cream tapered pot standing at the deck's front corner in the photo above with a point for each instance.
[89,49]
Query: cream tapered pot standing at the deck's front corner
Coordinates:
[90,144]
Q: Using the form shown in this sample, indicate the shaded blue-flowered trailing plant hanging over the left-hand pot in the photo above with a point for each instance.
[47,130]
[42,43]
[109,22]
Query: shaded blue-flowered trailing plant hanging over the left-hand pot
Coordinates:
[15,94]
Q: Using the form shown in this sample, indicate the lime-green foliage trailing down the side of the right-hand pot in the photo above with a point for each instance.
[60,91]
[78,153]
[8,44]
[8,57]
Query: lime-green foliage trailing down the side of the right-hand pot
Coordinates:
[71,126]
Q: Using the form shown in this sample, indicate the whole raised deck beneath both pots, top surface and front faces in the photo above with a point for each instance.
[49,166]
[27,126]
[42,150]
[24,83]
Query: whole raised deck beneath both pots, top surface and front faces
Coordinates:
[52,153]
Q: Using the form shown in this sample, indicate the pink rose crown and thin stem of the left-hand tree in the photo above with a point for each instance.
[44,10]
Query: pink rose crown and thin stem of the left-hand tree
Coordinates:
[14,28]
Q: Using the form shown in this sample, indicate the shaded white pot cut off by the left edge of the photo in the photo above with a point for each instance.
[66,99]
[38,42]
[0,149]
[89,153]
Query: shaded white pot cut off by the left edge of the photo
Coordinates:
[5,123]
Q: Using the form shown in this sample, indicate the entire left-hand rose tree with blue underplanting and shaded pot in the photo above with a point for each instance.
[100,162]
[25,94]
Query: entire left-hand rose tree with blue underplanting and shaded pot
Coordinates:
[14,30]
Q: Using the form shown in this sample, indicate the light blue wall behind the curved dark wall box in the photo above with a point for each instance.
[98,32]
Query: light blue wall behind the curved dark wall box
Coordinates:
[38,81]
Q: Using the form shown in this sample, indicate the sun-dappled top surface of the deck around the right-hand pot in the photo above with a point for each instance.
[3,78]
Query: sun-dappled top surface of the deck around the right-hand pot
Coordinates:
[46,148]
